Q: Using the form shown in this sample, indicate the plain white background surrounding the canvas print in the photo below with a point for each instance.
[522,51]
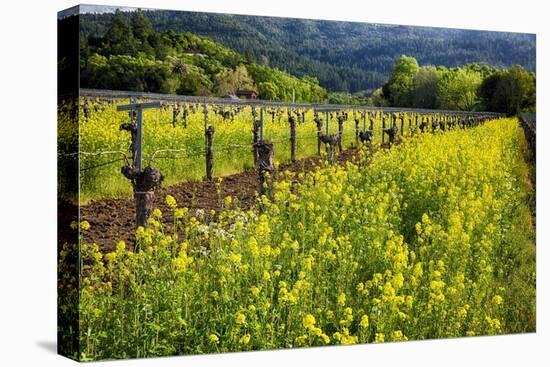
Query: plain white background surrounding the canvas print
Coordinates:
[28,182]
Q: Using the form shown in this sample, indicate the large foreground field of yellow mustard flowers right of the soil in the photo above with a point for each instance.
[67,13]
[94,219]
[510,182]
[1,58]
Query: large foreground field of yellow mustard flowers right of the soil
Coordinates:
[433,238]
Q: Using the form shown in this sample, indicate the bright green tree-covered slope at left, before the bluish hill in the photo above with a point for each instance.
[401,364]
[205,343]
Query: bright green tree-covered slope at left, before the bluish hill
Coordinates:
[131,55]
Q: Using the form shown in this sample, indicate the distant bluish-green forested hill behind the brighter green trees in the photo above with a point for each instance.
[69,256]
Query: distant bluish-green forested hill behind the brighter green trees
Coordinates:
[344,56]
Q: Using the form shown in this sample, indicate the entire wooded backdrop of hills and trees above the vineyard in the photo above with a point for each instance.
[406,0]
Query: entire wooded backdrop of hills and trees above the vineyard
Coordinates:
[144,51]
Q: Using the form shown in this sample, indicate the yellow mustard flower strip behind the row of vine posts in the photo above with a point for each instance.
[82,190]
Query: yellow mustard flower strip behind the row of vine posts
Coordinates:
[178,151]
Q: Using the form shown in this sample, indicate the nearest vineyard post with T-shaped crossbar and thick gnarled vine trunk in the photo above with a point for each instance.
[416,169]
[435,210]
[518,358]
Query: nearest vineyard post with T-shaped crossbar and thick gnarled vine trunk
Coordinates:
[144,181]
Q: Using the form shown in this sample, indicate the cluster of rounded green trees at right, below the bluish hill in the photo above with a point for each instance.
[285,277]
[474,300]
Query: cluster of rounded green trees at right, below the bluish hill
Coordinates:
[470,87]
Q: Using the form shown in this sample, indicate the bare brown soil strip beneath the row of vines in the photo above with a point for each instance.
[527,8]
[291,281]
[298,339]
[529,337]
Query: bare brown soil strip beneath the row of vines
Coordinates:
[113,220]
